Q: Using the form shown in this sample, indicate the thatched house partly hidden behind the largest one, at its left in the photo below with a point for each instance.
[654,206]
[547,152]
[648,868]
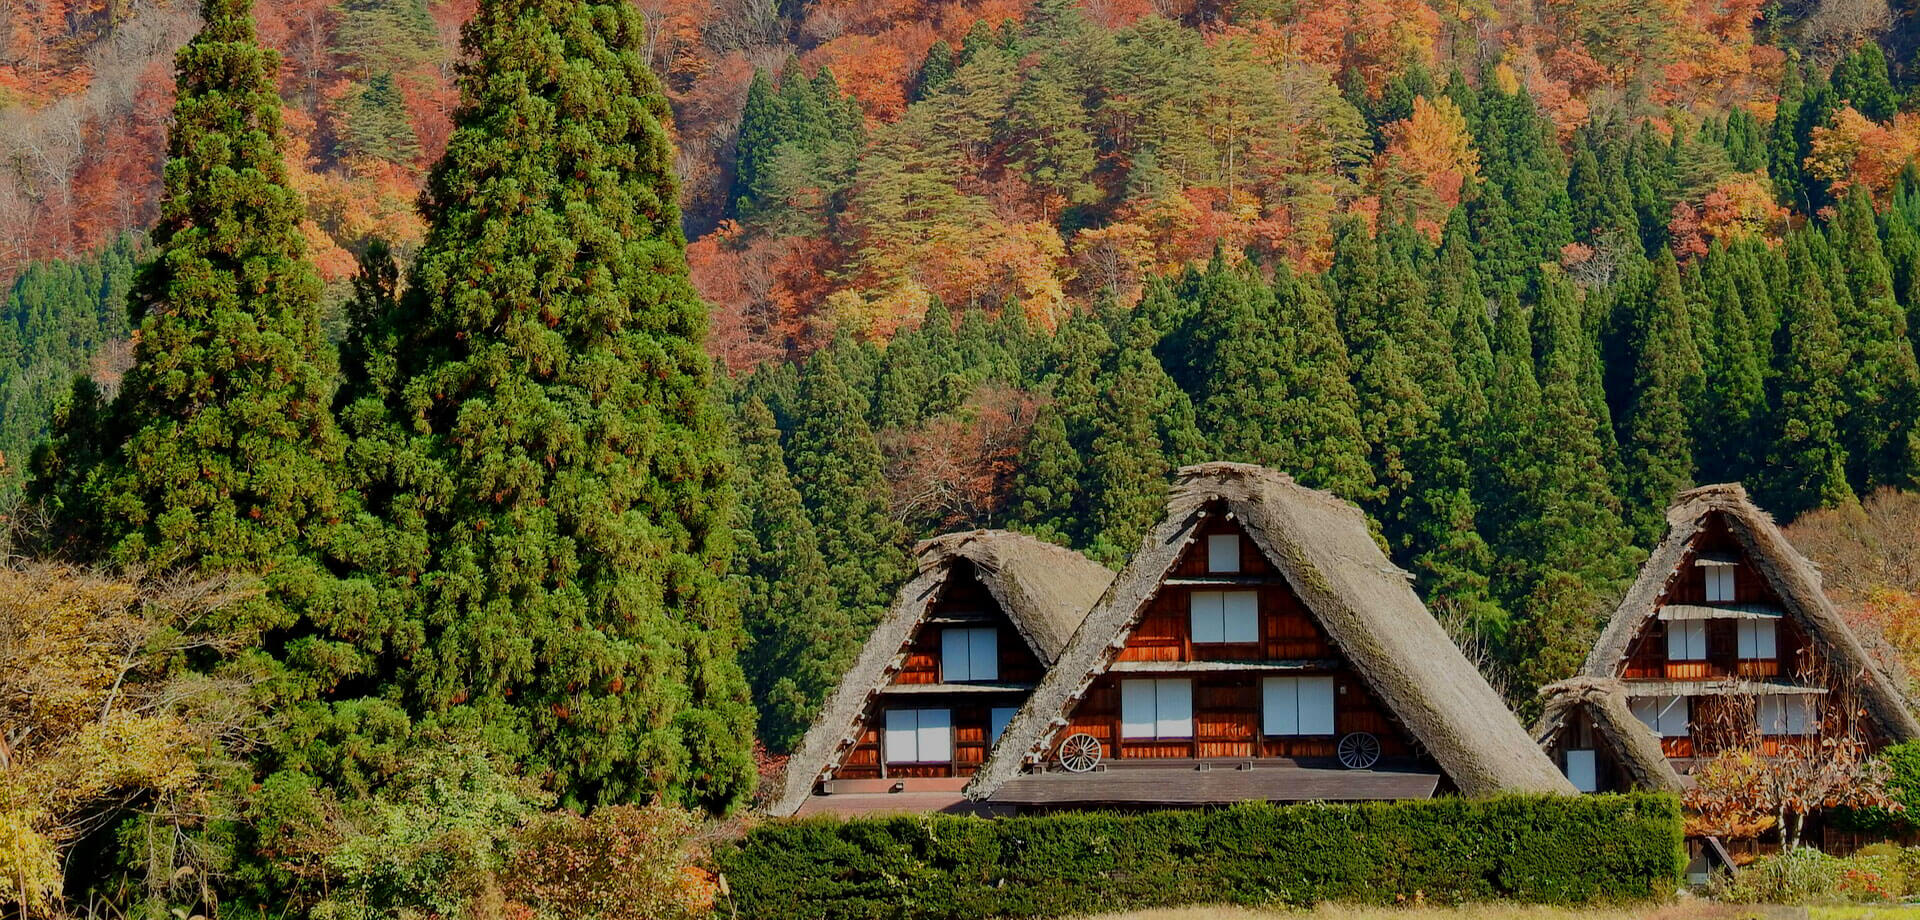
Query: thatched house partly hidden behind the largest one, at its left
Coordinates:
[961,648]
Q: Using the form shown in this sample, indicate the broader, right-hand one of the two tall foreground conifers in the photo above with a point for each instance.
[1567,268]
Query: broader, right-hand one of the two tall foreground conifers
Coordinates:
[569,458]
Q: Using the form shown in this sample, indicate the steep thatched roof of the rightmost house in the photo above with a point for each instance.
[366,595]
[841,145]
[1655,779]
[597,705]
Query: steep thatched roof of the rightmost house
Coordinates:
[1792,577]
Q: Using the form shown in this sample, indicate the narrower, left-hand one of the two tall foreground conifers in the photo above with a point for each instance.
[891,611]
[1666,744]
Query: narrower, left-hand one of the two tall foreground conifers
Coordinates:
[220,450]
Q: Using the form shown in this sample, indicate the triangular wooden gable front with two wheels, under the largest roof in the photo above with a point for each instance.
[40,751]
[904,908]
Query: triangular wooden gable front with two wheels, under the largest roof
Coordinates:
[1224,642]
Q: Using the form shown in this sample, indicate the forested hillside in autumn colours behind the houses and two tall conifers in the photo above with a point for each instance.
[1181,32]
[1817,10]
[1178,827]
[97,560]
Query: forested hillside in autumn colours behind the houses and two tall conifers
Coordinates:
[1508,276]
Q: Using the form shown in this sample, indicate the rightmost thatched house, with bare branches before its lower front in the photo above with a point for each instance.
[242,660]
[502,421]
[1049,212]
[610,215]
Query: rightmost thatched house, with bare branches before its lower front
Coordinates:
[1727,610]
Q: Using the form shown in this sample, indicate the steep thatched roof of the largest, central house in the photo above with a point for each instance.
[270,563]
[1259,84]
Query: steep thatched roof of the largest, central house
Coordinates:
[1364,602]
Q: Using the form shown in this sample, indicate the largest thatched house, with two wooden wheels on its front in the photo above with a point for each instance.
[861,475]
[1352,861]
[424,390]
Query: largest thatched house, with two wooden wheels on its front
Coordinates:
[1335,664]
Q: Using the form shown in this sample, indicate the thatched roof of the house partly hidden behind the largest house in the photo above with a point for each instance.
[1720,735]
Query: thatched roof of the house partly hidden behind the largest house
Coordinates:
[1045,591]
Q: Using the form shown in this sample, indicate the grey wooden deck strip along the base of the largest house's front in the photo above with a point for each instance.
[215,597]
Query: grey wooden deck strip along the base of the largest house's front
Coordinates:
[1218,787]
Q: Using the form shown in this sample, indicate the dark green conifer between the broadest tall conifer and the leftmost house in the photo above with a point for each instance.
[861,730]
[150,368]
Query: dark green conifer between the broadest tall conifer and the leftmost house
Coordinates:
[798,635]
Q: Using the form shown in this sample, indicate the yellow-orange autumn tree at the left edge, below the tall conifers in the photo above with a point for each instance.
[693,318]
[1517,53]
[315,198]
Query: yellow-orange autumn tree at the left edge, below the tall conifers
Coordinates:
[101,723]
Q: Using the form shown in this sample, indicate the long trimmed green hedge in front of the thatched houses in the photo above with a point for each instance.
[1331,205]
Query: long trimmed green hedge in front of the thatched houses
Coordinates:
[1541,850]
